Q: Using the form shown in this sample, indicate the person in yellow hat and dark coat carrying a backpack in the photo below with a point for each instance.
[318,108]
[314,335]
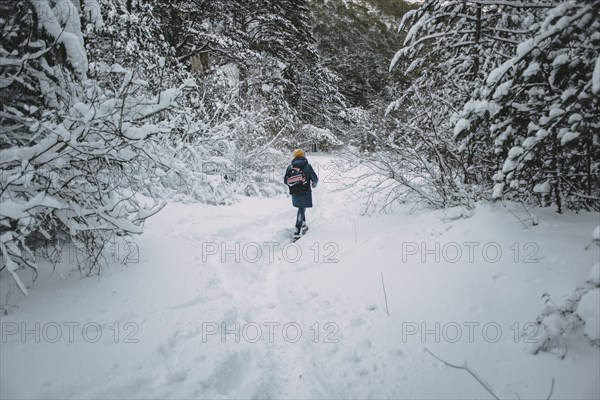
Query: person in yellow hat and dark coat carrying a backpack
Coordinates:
[300,179]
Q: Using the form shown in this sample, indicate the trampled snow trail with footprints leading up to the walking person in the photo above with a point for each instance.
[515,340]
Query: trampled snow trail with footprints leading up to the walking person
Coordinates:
[258,298]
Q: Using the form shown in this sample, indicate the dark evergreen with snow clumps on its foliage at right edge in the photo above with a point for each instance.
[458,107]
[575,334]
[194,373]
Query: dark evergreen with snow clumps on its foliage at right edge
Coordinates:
[540,108]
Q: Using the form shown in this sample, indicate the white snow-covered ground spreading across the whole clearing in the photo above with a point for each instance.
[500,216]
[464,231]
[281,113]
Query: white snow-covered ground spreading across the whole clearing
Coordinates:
[221,305]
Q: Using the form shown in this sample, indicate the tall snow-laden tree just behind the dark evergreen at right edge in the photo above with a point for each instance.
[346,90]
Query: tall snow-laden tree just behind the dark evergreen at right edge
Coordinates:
[456,53]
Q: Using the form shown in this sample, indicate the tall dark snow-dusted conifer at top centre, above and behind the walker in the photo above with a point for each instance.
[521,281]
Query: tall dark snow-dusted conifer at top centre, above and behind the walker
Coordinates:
[265,45]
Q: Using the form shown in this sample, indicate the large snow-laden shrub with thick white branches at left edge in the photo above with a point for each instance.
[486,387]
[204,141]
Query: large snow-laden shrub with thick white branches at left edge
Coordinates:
[74,160]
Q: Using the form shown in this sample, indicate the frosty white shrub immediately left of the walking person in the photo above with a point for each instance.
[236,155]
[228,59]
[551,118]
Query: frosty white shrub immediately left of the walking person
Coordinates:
[218,148]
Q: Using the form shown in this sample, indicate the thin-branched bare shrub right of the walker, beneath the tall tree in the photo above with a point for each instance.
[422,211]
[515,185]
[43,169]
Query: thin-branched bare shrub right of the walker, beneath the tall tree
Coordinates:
[420,159]
